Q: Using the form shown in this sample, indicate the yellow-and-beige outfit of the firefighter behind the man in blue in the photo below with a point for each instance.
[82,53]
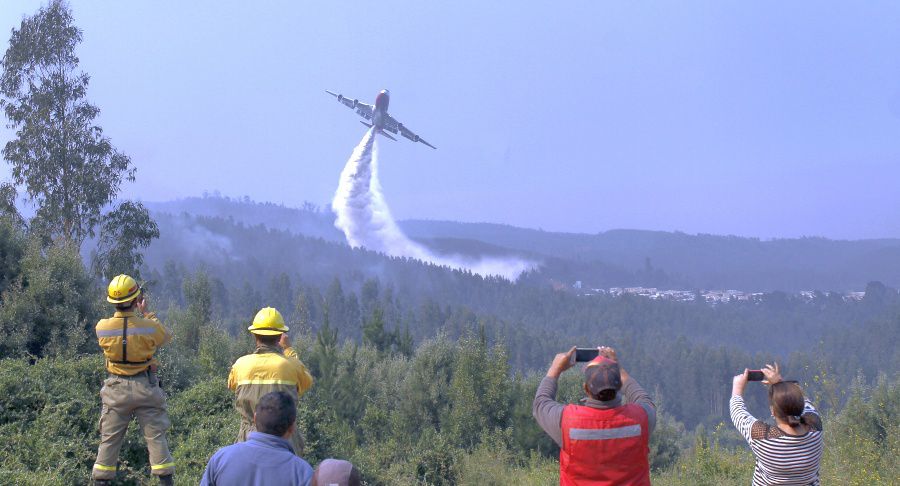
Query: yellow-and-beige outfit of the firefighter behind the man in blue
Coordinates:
[268,369]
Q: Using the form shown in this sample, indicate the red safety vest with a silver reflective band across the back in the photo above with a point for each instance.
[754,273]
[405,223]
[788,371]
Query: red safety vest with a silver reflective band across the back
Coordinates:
[604,446]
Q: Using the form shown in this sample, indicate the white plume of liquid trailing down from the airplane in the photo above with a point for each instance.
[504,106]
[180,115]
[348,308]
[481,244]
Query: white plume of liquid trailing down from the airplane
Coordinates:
[363,216]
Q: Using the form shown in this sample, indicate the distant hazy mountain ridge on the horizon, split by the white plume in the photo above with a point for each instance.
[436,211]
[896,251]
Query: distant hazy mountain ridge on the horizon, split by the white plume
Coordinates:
[611,258]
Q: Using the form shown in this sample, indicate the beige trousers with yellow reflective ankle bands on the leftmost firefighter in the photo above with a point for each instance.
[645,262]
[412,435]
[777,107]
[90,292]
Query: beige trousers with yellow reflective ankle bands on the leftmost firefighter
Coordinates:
[125,398]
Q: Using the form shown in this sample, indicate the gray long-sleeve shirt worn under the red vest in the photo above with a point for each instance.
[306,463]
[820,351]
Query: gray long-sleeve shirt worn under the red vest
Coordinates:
[548,412]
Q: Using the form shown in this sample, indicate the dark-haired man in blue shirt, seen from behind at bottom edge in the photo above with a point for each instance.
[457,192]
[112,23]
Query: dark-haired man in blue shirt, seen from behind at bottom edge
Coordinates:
[267,457]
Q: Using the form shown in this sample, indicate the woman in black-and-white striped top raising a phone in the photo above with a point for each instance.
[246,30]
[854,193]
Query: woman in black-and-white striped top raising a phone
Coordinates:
[789,451]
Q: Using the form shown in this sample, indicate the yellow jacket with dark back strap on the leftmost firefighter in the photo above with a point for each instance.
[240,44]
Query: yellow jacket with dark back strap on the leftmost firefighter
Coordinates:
[129,349]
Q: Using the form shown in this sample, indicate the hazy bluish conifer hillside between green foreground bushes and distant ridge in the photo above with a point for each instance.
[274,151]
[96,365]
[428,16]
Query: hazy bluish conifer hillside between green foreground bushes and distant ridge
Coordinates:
[315,280]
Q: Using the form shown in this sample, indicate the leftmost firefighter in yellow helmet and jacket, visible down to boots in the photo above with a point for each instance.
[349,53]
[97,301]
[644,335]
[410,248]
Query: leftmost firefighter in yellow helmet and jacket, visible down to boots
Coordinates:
[132,388]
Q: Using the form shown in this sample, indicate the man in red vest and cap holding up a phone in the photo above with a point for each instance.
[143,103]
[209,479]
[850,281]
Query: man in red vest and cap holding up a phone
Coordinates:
[604,440]
